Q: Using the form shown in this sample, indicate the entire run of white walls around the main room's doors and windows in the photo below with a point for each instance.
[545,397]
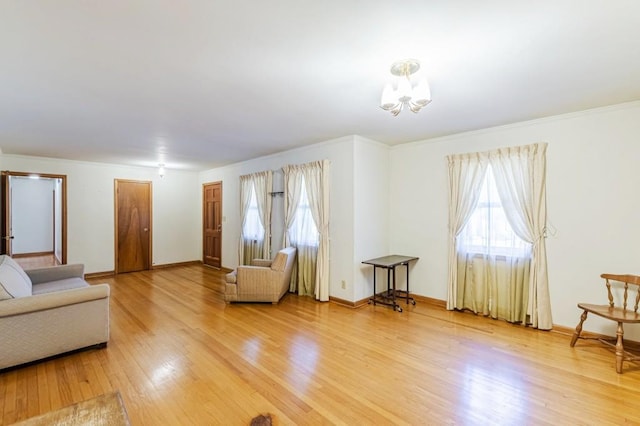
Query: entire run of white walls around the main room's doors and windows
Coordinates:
[592,186]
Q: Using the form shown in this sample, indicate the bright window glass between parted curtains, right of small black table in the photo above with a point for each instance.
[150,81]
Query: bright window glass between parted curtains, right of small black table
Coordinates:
[488,231]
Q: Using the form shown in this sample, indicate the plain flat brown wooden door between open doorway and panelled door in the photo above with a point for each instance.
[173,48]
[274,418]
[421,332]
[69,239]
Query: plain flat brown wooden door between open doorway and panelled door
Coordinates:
[133,225]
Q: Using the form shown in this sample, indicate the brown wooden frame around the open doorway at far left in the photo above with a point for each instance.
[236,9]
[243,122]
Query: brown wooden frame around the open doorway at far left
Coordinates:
[5,215]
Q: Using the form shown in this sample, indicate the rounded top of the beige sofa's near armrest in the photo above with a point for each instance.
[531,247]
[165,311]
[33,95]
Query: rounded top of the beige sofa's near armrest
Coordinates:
[41,302]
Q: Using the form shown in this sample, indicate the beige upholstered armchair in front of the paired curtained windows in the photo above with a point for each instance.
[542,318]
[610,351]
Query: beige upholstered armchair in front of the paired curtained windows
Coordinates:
[263,280]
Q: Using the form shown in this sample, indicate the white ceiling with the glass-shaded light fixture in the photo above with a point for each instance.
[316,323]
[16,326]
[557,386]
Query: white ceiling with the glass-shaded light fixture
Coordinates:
[197,84]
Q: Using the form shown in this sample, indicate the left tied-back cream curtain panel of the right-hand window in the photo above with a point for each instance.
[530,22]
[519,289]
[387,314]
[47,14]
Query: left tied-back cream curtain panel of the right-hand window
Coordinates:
[466,174]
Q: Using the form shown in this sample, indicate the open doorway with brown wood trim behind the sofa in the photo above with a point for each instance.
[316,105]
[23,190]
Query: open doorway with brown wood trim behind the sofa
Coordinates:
[33,217]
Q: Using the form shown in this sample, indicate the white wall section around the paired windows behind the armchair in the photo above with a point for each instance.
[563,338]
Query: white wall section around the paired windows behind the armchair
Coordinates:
[340,153]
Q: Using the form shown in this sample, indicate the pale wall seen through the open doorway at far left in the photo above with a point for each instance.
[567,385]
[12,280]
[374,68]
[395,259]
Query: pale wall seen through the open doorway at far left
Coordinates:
[32,215]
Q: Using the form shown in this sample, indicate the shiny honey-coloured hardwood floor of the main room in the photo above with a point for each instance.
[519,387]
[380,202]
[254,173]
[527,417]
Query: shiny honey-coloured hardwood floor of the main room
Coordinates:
[179,355]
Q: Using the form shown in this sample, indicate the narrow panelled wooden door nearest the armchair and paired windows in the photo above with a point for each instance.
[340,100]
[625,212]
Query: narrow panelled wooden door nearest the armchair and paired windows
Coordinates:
[212,224]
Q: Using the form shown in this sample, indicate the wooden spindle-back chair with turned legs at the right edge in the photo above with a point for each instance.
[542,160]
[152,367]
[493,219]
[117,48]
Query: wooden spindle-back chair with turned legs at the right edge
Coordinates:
[620,314]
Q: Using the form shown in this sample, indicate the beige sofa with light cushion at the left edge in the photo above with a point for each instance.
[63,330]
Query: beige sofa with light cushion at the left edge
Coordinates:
[49,311]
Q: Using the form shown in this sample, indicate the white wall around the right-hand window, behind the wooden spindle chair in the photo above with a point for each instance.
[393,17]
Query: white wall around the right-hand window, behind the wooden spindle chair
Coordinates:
[592,198]
